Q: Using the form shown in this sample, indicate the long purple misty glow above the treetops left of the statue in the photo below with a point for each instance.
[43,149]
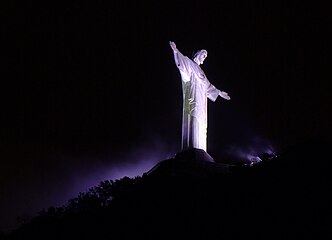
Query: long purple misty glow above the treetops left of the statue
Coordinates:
[74,174]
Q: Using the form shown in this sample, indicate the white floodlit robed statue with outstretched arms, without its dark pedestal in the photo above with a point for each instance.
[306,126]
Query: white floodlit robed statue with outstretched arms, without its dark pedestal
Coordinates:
[196,89]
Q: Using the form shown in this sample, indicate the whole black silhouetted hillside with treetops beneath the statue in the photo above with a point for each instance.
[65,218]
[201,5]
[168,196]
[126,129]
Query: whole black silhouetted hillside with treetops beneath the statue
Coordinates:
[287,197]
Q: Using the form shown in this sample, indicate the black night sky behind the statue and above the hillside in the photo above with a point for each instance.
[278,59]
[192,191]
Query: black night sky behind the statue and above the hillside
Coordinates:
[90,90]
